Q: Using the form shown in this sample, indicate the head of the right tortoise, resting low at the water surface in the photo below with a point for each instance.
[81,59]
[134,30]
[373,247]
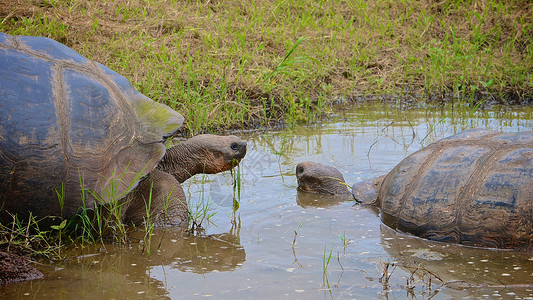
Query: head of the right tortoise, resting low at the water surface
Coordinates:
[318,178]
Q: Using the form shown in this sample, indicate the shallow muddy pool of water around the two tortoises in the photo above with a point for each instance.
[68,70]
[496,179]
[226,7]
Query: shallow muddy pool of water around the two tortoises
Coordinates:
[282,244]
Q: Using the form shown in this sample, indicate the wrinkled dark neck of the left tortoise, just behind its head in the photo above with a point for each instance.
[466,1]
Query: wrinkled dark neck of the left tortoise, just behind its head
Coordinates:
[182,161]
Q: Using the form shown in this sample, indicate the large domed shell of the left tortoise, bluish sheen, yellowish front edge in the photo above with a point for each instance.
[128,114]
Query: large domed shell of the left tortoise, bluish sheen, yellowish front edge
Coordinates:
[67,122]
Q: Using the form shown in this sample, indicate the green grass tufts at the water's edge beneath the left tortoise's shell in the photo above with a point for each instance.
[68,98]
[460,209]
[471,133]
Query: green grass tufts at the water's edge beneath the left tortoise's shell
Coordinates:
[100,223]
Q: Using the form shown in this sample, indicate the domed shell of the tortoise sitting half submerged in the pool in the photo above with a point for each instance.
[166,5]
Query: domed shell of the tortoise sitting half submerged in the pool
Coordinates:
[474,188]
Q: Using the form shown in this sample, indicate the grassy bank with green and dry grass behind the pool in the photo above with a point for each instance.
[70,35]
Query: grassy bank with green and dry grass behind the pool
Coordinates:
[228,64]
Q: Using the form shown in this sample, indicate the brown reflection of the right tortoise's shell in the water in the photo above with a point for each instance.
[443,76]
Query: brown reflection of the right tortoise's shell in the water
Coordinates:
[469,269]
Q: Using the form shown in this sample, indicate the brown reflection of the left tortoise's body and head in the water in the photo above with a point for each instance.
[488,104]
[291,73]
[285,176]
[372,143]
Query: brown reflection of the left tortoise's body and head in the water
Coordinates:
[119,272]
